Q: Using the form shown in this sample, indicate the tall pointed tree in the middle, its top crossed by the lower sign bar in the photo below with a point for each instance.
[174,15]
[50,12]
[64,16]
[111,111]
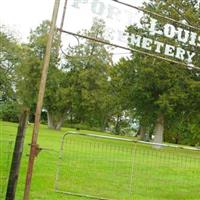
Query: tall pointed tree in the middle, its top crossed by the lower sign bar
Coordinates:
[87,69]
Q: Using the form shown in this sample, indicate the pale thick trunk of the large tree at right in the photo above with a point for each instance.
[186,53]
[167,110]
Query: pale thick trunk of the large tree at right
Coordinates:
[159,129]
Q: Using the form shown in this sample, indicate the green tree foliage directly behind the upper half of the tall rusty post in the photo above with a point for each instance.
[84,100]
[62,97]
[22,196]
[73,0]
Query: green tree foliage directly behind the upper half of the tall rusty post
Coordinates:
[28,73]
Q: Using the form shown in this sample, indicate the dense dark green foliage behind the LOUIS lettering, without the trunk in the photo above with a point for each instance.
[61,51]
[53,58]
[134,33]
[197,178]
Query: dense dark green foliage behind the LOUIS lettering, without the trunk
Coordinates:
[159,87]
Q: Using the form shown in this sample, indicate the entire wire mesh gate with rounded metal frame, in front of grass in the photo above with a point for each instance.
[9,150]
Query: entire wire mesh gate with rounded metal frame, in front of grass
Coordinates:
[114,168]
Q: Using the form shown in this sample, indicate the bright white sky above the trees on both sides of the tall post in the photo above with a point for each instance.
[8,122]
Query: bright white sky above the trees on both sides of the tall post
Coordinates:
[20,16]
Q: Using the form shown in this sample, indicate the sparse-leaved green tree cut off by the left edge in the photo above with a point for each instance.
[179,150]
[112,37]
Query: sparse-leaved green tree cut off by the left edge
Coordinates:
[10,58]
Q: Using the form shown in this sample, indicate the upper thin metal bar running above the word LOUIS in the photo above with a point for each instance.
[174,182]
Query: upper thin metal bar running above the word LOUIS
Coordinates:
[156,14]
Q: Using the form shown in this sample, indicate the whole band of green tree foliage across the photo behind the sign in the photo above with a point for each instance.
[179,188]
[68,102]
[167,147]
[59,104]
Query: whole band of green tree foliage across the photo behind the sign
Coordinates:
[85,88]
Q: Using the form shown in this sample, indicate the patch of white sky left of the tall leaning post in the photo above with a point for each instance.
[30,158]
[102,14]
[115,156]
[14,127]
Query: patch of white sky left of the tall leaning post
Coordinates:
[24,15]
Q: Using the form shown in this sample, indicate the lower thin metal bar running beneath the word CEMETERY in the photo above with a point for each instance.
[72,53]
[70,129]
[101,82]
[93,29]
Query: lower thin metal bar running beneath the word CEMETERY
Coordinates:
[127,48]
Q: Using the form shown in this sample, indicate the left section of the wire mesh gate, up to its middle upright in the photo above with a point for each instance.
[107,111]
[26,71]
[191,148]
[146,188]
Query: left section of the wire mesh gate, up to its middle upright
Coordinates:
[94,166]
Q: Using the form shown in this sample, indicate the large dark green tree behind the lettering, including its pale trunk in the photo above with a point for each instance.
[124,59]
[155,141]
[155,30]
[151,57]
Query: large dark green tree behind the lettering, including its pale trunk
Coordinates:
[161,90]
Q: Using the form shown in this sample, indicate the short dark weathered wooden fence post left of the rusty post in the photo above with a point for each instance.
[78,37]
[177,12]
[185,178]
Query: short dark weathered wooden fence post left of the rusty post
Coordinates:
[17,154]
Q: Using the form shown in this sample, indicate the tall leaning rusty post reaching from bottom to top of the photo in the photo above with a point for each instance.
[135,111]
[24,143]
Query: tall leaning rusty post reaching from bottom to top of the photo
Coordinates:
[34,146]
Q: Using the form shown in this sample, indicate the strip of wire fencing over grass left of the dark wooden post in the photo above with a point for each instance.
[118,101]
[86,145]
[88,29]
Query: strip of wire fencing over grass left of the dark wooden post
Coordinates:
[6,148]
